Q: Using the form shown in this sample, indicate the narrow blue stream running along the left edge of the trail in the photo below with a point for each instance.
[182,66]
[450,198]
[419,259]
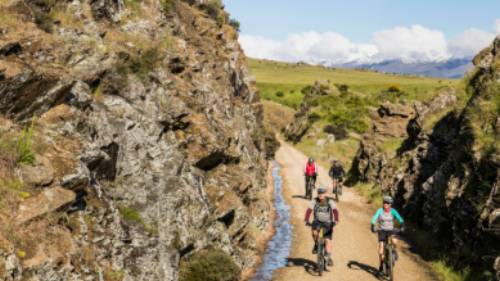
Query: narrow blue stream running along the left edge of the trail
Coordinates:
[278,248]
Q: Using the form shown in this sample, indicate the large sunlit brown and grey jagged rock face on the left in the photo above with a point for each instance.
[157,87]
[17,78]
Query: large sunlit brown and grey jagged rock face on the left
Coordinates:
[151,124]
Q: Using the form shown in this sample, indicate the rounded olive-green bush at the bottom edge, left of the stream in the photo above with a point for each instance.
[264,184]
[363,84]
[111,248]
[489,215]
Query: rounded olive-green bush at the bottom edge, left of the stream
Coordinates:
[209,265]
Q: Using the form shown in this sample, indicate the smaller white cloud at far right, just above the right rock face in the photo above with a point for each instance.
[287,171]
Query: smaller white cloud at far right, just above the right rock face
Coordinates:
[470,42]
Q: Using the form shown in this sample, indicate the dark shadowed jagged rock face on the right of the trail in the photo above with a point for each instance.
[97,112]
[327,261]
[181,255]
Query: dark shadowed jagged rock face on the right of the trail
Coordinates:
[446,179]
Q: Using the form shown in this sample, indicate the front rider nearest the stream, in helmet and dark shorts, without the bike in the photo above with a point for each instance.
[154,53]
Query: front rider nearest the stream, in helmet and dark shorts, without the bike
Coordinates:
[326,216]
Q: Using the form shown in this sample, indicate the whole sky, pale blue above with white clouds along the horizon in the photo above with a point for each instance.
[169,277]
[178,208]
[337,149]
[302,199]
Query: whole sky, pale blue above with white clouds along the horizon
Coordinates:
[365,31]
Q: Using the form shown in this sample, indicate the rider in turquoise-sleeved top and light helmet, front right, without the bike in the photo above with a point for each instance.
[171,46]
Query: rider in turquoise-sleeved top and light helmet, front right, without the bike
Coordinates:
[384,217]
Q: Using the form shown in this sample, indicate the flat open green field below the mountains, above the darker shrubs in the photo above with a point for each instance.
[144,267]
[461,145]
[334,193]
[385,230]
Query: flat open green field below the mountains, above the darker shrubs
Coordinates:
[290,78]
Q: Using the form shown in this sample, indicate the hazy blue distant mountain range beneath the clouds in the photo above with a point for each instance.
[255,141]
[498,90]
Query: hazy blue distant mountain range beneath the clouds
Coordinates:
[454,68]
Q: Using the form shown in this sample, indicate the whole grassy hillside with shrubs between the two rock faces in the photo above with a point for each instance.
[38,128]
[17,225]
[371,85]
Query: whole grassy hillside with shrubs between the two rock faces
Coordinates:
[347,104]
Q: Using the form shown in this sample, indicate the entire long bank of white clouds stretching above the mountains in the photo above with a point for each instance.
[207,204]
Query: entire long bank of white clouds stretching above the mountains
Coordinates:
[411,44]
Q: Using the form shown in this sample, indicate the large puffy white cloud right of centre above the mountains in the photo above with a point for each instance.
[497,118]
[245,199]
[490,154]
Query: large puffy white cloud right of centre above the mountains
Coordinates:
[411,44]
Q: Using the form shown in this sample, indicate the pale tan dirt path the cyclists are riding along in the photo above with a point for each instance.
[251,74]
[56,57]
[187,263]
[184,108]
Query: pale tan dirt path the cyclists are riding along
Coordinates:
[354,247]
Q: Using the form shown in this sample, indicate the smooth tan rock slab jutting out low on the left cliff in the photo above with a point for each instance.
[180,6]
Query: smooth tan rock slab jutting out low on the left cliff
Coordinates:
[47,201]
